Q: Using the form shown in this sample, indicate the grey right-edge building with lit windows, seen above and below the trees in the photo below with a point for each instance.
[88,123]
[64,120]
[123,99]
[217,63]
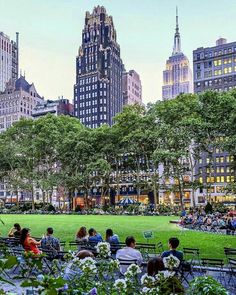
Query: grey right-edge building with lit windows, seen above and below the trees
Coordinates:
[215,69]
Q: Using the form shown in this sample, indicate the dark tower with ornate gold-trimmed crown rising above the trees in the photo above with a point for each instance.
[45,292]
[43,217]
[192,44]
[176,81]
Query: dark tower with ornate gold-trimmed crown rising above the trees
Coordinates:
[98,89]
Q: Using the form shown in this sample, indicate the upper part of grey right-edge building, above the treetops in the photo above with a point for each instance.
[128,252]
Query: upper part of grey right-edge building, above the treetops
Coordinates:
[215,67]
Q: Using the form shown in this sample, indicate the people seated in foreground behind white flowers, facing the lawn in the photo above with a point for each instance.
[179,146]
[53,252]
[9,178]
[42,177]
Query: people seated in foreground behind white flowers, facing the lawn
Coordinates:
[127,253]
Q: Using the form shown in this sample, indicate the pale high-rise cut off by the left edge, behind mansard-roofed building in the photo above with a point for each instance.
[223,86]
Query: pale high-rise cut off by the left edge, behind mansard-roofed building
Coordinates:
[9,59]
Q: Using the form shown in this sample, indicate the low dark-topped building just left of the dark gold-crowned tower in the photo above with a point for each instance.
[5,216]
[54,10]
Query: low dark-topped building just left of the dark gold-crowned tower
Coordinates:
[58,107]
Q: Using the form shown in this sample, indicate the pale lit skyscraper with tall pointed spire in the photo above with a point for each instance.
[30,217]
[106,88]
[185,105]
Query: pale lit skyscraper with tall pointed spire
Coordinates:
[177,77]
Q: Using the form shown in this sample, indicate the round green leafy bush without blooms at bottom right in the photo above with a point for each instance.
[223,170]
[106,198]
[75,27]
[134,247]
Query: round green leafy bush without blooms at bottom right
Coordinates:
[206,286]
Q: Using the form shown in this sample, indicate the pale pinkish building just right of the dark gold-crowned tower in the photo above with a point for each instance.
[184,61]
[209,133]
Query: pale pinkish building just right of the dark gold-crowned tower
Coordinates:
[132,88]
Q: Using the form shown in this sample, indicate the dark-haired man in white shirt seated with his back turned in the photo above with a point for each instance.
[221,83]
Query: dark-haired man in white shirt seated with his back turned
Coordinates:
[129,253]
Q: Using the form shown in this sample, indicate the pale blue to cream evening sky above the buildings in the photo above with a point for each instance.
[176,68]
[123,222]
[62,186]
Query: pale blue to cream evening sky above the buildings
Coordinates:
[51,30]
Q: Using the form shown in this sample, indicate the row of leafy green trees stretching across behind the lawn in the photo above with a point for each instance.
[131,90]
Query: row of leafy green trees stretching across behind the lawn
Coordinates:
[54,152]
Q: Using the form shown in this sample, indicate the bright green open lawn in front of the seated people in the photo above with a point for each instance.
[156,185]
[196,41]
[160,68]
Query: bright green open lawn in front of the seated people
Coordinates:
[65,227]
